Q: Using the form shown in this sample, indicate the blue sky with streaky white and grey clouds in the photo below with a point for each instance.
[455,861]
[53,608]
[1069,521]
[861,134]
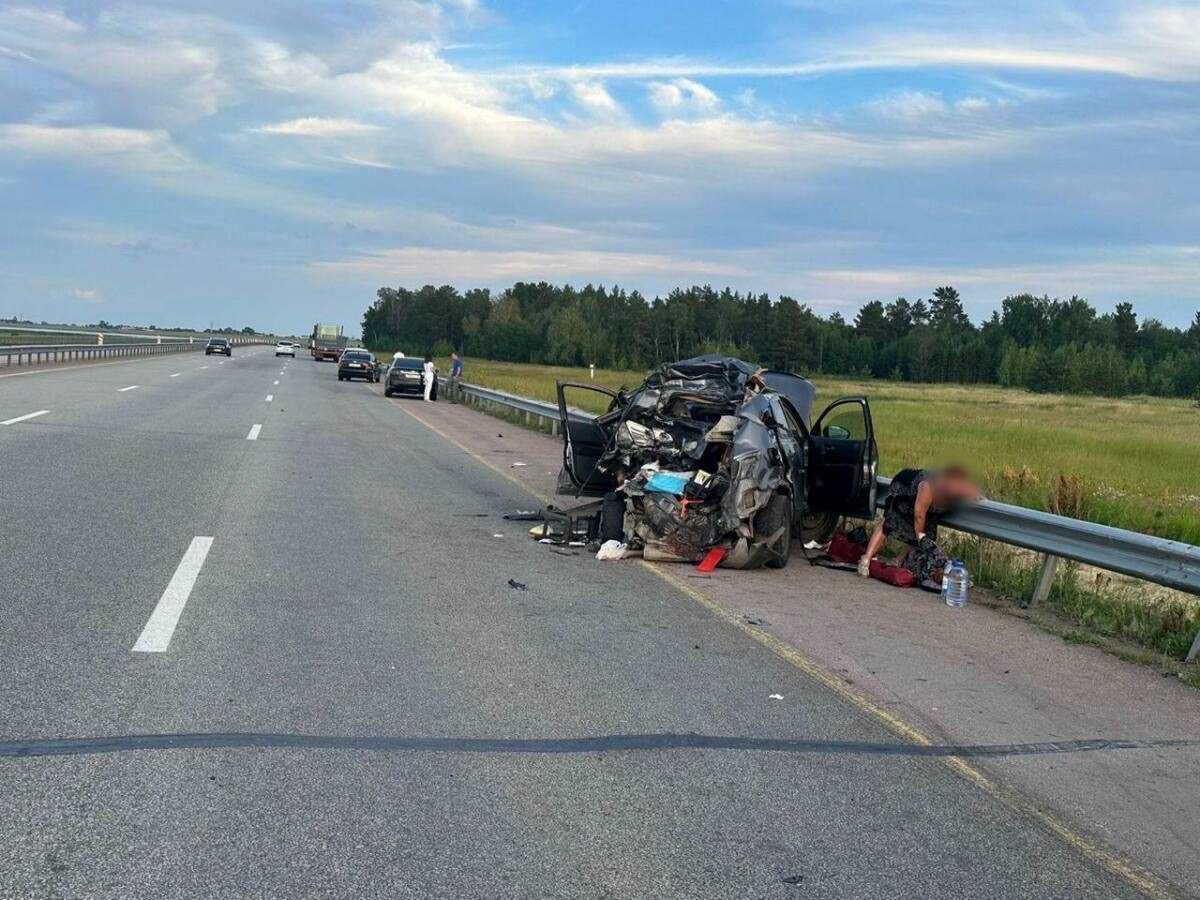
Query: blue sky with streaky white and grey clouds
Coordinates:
[217,163]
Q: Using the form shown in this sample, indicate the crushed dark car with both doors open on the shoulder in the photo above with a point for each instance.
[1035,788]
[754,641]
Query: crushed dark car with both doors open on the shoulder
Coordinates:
[715,454]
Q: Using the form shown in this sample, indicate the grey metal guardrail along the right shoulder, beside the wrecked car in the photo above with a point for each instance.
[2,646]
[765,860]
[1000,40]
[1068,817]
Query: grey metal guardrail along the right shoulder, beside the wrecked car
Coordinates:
[1172,565]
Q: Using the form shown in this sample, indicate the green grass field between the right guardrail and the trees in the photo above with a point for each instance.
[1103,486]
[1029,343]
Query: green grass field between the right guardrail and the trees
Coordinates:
[1132,463]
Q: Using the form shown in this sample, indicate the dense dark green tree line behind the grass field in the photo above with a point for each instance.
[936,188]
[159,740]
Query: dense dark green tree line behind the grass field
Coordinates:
[1034,343]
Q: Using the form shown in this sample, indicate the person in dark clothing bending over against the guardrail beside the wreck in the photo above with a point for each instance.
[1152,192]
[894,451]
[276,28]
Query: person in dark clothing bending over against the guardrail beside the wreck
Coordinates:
[916,502]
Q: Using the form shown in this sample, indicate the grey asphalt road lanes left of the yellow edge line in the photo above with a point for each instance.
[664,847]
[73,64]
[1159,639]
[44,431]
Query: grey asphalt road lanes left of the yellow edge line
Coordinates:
[367,706]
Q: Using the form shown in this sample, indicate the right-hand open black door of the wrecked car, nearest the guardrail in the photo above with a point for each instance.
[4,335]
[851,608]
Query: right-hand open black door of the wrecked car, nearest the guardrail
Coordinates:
[844,460]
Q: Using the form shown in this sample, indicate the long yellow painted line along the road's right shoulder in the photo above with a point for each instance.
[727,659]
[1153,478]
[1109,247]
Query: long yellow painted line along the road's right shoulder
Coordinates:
[1142,880]
